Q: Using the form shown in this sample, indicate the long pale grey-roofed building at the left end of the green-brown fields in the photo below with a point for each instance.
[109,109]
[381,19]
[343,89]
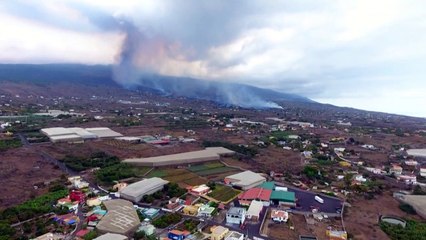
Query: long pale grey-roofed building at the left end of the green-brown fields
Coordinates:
[135,191]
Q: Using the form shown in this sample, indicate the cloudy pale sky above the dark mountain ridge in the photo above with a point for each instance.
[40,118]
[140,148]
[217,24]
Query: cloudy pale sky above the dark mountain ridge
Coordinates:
[363,54]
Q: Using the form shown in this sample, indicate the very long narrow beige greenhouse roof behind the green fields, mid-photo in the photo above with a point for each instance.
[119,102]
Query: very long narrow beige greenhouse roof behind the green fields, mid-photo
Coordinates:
[208,154]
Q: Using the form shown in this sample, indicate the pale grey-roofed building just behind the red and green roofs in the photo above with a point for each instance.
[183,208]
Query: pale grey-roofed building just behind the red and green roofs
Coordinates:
[245,180]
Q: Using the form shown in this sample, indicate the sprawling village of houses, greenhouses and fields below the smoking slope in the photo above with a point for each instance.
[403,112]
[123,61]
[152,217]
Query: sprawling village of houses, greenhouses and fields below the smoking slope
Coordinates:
[204,175]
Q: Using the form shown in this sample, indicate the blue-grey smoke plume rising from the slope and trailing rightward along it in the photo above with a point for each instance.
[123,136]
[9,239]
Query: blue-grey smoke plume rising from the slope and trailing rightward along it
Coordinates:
[146,61]
